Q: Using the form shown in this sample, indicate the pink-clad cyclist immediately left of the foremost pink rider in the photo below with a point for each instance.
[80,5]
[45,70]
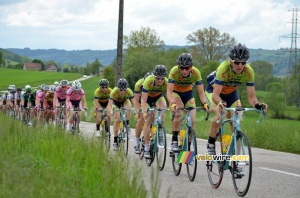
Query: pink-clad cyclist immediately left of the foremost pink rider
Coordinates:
[59,99]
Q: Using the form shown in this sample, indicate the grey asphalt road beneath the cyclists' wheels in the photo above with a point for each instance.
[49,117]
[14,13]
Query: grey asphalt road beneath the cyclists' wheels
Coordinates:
[274,174]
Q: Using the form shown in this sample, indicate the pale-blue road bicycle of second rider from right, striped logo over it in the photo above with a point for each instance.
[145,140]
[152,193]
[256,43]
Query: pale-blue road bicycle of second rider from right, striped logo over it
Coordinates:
[187,145]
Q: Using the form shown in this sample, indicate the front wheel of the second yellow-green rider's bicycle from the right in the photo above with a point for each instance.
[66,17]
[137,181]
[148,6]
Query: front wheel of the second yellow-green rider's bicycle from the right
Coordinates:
[191,166]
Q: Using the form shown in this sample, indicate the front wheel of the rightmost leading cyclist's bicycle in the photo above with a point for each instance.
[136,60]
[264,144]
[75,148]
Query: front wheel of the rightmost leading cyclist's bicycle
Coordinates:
[242,168]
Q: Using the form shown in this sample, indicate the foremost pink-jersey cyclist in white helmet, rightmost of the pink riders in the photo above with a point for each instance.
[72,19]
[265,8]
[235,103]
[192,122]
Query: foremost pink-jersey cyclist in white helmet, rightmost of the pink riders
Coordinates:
[75,95]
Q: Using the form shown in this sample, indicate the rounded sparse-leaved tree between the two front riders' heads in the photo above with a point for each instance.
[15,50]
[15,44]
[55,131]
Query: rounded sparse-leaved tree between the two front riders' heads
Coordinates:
[210,44]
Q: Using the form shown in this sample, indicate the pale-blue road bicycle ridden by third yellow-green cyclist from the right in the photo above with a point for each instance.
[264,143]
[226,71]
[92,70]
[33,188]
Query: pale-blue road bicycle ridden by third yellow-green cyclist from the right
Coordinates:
[158,141]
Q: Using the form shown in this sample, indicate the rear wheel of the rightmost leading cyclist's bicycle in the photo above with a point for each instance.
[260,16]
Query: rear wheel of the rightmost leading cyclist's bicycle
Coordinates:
[215,169]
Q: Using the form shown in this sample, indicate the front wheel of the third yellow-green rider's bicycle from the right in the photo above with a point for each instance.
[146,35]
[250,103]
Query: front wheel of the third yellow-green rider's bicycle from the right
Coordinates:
[161,149]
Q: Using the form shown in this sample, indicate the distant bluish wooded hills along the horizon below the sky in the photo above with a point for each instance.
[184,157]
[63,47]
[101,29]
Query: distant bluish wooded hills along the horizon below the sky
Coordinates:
[279,58]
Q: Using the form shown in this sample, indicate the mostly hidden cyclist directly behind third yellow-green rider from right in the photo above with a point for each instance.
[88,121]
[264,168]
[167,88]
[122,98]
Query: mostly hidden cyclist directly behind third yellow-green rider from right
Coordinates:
[140,120]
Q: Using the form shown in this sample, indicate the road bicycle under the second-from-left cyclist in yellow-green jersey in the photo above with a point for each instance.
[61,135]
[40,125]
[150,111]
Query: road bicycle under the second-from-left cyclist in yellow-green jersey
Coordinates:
[123,140]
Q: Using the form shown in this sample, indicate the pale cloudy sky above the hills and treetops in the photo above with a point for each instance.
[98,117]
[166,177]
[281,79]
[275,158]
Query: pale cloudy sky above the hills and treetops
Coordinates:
[93,24]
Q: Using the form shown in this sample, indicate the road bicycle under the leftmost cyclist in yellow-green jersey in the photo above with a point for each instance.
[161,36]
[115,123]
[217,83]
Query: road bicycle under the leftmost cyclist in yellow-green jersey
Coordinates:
[104,127]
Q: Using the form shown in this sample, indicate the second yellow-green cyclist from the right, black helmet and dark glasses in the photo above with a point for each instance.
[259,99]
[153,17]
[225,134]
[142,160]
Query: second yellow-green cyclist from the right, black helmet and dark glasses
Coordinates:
[180,92]
